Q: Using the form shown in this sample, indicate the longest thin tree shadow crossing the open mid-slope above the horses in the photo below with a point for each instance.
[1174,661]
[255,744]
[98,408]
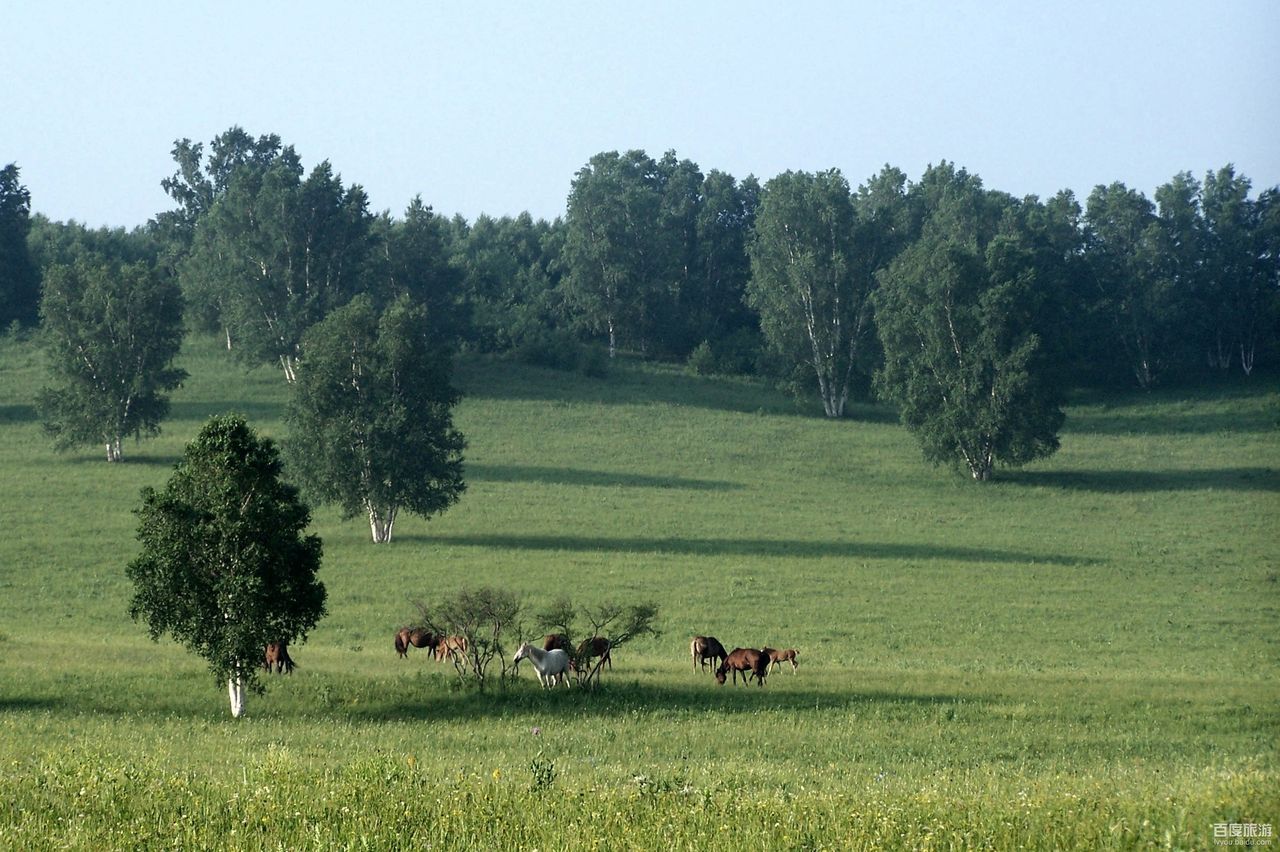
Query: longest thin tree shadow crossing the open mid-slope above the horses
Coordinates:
[758,548]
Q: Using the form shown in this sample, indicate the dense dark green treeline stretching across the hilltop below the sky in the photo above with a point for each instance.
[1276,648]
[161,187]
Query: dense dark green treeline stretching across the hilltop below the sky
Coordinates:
[935,294]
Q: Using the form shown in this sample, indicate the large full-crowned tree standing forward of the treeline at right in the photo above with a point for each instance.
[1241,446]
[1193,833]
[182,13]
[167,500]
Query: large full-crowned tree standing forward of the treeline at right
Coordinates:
[961,319]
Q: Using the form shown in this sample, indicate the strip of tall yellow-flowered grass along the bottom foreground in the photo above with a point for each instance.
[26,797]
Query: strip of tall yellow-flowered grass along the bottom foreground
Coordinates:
[98,801]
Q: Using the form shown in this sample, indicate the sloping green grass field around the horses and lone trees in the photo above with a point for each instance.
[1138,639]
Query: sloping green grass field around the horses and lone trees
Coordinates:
[1084,654]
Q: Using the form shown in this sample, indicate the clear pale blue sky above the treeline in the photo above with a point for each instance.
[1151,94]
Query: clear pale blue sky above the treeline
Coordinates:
[493,107]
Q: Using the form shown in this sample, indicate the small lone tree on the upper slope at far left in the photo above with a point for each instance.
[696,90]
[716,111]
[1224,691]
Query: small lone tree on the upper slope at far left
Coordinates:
[112,333]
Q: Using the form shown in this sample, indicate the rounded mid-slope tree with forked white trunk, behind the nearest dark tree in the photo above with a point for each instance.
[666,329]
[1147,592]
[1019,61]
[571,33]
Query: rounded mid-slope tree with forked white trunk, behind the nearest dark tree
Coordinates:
[372,424]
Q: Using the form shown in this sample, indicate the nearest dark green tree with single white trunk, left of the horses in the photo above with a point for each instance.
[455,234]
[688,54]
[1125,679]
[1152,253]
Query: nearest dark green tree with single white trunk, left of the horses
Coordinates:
[226,565]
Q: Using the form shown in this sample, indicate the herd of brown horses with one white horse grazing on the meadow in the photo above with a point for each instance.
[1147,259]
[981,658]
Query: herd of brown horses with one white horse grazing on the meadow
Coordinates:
[557,658]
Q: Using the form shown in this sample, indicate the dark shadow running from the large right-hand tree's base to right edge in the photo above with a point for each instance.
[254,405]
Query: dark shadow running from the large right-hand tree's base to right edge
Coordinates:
[1231,479]
